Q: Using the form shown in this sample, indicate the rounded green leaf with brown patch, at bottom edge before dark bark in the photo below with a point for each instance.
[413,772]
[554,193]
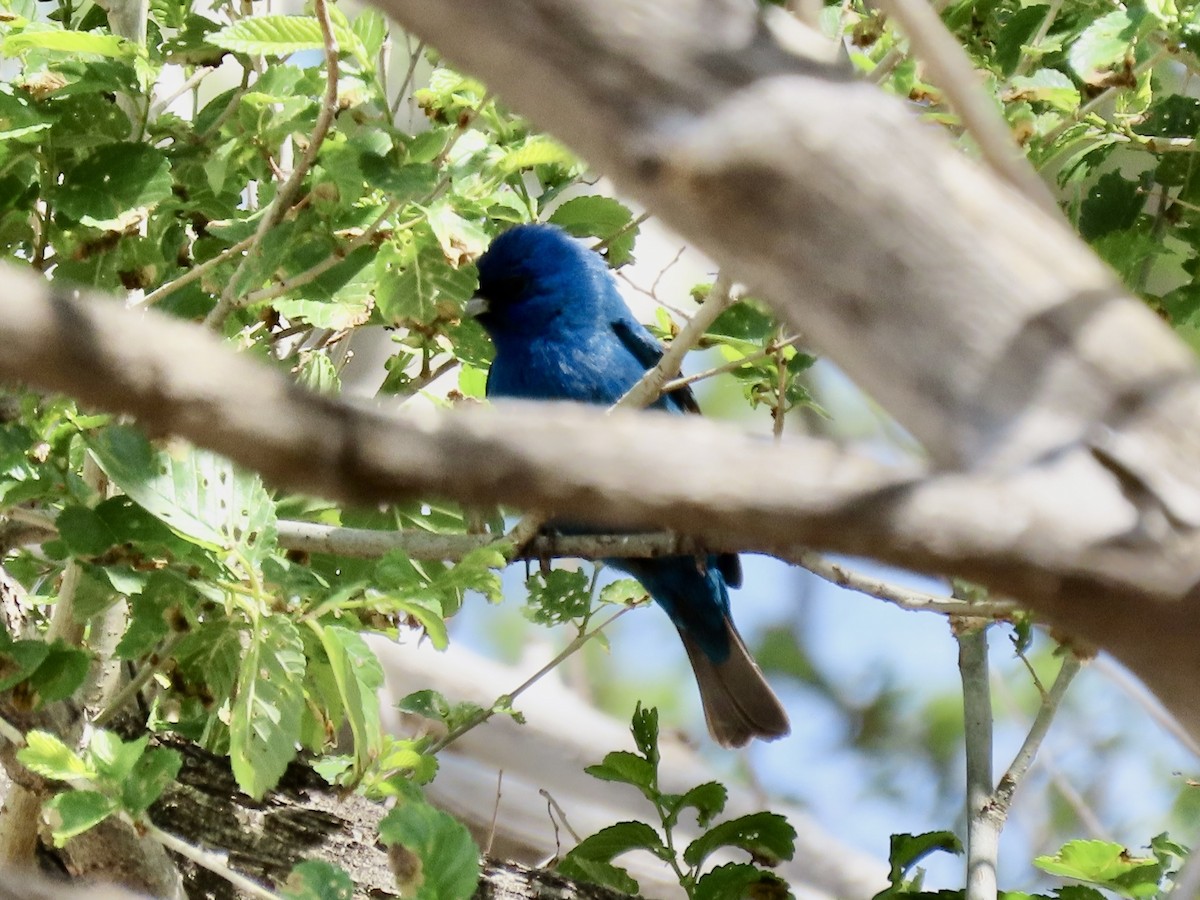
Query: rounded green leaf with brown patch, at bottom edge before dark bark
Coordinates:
[434,855]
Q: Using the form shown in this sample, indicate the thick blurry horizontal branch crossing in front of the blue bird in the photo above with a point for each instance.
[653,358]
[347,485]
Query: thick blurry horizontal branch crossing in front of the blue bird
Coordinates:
[1066,537]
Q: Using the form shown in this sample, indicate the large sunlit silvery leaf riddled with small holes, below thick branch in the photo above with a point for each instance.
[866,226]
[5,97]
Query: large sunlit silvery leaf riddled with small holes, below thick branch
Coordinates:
[199,495]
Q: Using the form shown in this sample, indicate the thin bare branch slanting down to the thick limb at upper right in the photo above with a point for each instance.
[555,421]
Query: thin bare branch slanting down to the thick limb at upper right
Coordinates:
[953,73]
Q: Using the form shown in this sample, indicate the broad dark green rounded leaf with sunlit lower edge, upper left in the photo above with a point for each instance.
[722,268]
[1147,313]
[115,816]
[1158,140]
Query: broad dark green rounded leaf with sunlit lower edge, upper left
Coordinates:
[113,183]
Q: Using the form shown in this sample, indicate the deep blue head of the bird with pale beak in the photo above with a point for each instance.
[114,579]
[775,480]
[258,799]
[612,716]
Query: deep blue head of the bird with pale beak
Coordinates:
[536,280]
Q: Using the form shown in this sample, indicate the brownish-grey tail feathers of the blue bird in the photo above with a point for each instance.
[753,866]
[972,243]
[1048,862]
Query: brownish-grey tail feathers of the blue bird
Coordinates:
[739,703]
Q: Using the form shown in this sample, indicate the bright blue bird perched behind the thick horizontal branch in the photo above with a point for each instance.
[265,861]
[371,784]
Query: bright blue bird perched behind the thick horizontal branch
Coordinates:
[562,332]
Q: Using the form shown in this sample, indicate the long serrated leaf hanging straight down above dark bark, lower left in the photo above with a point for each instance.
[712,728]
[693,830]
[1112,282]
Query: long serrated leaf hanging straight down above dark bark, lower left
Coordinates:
[265,721]
